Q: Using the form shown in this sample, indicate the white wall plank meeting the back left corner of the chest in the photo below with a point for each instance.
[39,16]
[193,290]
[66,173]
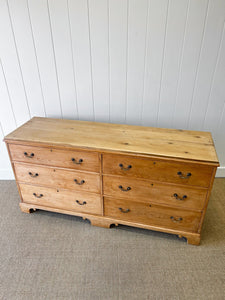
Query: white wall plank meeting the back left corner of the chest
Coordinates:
[27,57]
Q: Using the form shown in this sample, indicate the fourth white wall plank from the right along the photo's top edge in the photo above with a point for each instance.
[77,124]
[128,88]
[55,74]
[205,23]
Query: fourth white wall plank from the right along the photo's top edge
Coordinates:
[154,53]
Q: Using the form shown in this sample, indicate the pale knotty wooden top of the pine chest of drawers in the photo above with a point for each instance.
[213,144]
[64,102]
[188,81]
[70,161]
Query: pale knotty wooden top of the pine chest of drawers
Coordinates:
[183,144]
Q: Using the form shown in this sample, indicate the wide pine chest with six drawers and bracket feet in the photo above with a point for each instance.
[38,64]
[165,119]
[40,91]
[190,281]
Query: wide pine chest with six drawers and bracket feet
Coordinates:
[158,179]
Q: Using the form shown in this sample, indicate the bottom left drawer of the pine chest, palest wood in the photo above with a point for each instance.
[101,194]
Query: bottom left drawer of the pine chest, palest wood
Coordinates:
[62,199]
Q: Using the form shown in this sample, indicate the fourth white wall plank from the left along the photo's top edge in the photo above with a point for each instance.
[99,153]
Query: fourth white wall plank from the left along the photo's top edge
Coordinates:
[58,10]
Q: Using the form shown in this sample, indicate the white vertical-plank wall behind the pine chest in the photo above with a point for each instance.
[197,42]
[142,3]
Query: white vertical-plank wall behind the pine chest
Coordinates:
[146,62]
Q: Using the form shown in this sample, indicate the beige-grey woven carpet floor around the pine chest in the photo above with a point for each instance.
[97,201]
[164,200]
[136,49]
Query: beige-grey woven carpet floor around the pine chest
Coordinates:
[47,255]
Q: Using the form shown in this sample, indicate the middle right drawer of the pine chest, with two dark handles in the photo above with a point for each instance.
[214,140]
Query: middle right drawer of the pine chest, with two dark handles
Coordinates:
[142,190]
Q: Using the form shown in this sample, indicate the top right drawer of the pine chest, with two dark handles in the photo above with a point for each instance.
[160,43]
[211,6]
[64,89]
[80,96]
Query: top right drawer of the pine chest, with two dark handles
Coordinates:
[156,169]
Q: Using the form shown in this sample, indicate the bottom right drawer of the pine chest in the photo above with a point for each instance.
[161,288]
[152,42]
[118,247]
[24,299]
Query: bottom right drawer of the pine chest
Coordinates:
[149,214]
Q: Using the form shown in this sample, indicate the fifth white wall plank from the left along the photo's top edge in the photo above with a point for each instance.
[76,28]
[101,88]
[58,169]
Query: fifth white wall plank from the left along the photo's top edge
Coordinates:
[80,40]
